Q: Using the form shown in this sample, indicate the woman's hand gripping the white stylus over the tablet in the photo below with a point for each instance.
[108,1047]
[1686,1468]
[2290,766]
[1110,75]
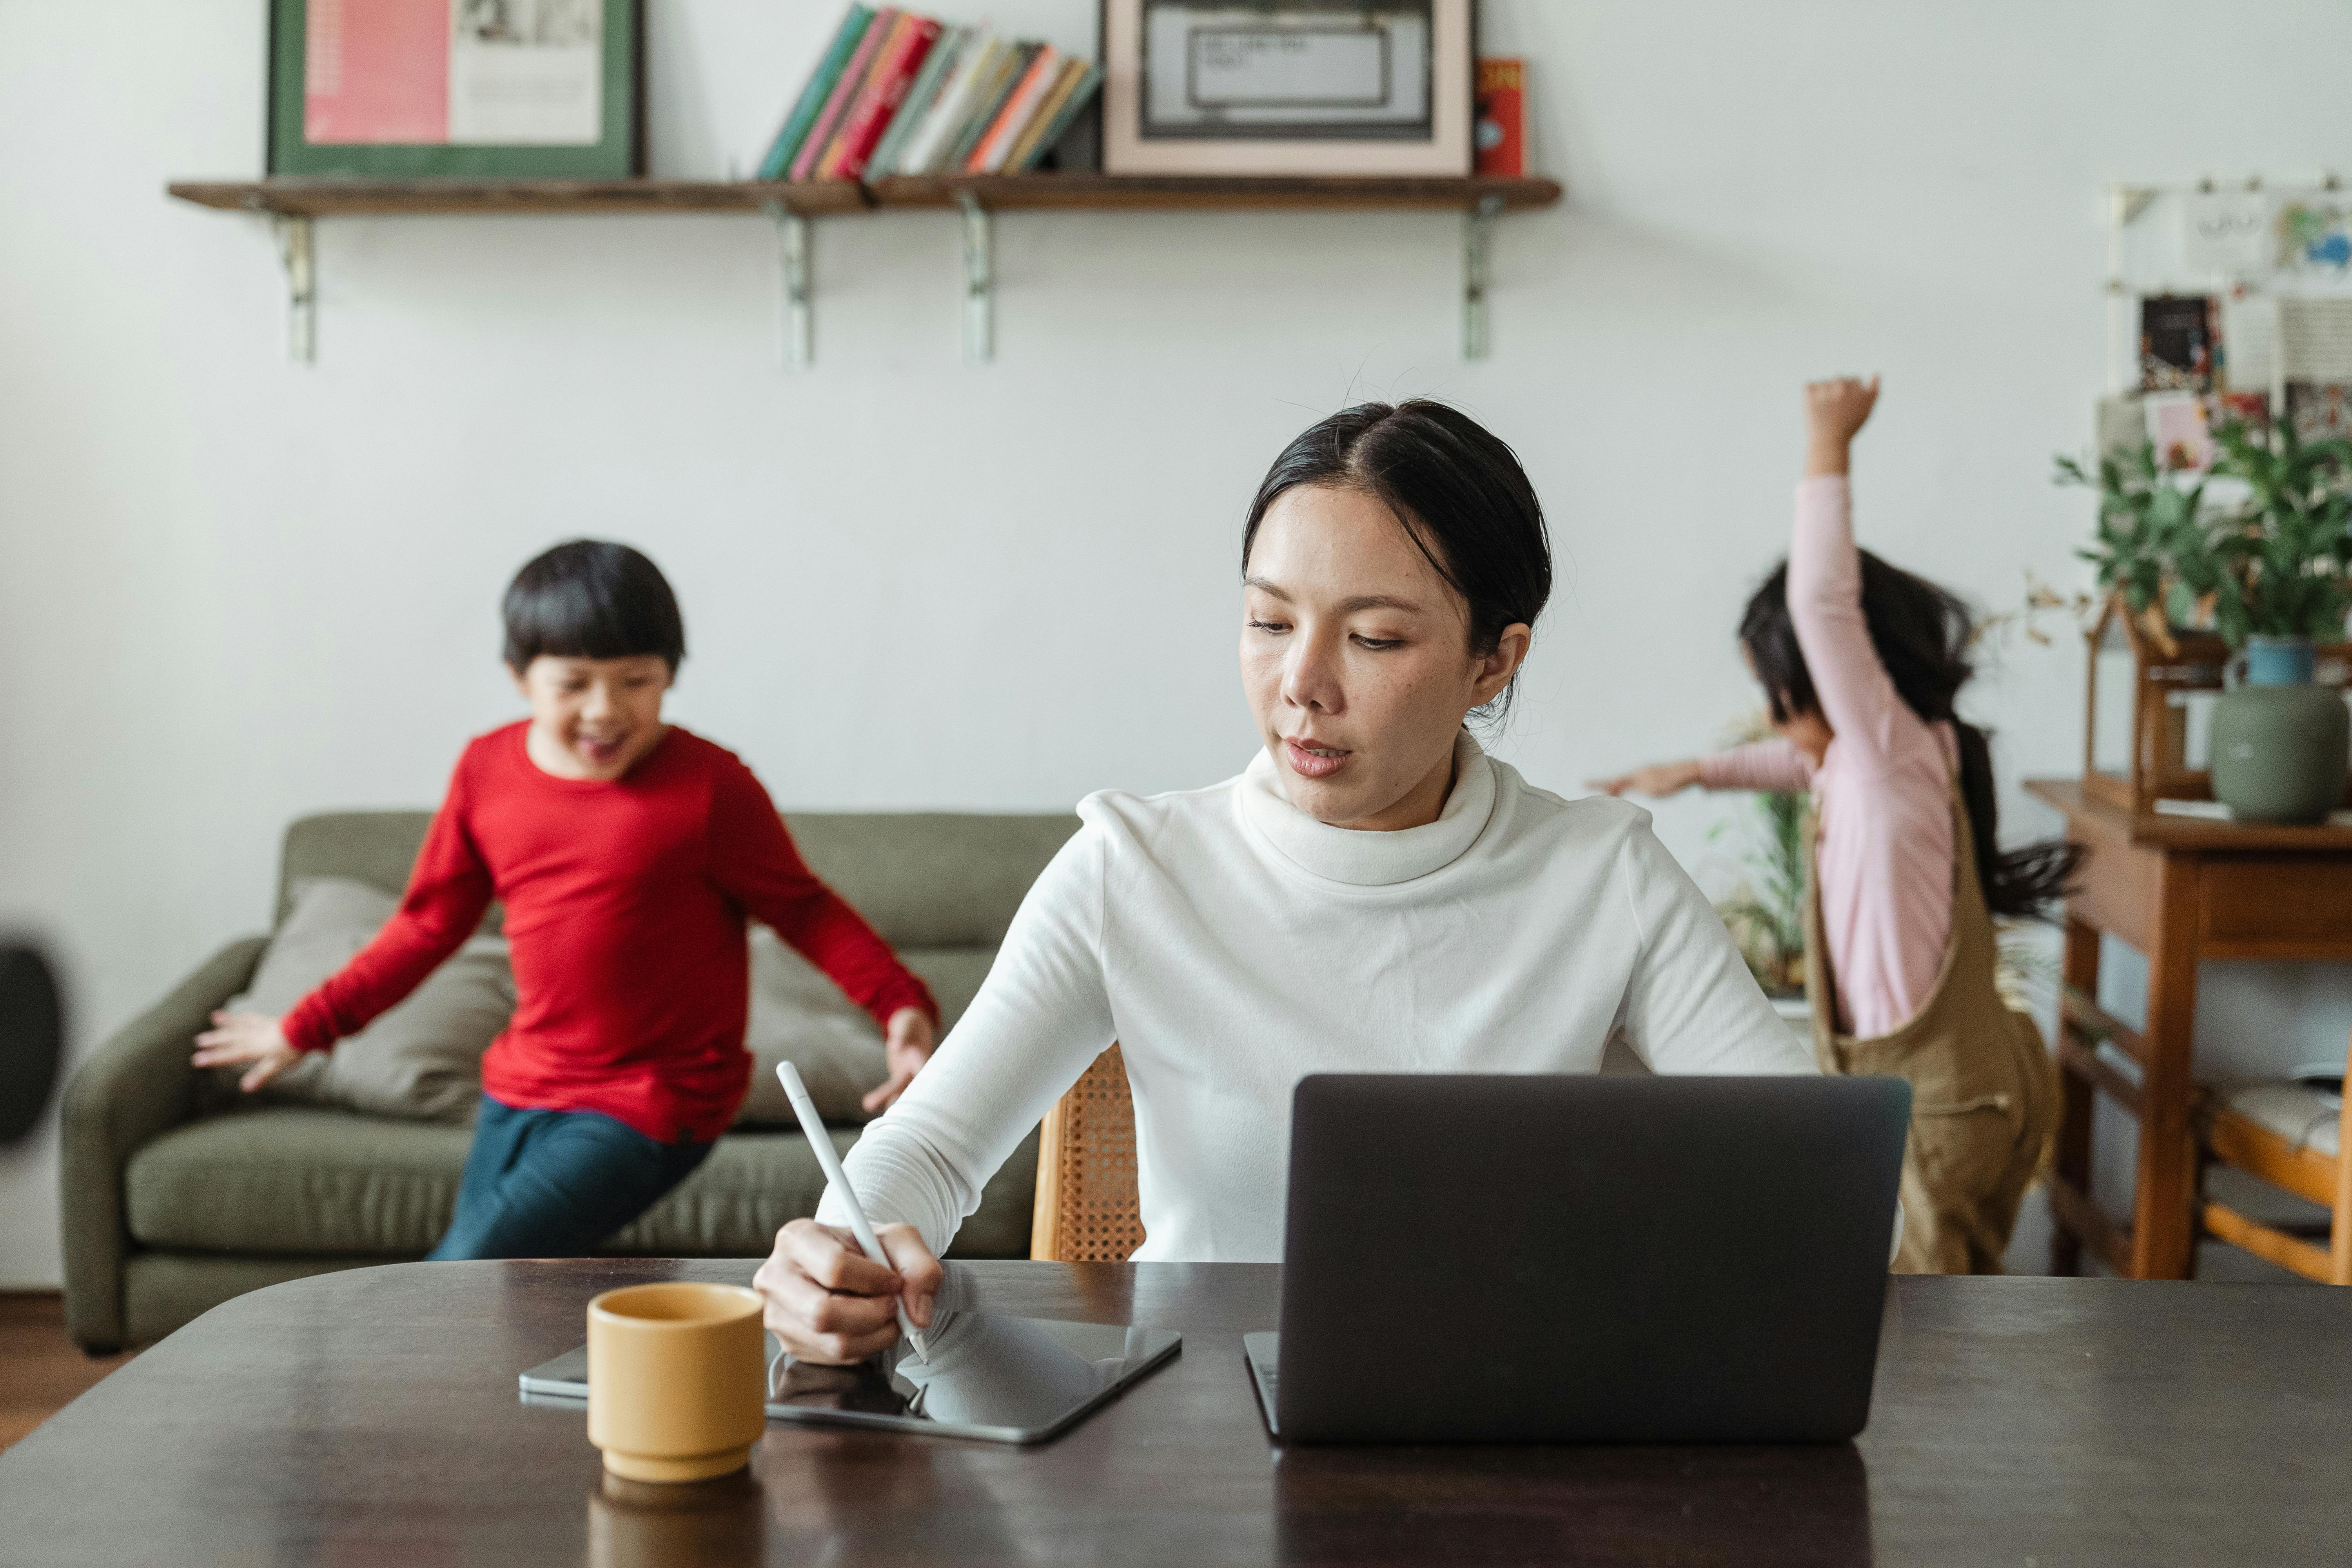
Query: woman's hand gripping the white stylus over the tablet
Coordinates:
[827,1301]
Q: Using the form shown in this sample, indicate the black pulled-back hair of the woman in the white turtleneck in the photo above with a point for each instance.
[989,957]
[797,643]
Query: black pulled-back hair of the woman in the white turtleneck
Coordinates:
[1457,492]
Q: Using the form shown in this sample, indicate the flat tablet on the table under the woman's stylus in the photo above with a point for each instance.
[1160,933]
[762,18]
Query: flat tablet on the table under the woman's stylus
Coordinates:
[991,1379]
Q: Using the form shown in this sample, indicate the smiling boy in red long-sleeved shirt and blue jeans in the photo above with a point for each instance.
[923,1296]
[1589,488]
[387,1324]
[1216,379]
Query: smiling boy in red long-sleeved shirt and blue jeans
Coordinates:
[629,855]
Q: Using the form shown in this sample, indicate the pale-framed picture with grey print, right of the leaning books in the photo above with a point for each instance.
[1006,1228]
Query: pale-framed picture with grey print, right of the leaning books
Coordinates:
[1288,86]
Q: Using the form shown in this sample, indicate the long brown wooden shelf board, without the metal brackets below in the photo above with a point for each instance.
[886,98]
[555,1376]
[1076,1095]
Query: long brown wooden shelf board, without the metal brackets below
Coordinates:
[321,199]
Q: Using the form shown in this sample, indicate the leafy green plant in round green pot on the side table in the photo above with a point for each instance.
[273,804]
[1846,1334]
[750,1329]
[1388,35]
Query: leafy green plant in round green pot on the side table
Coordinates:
[2257,549]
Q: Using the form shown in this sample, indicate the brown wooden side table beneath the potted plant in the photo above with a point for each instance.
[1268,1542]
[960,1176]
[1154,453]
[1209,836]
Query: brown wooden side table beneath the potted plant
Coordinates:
[2179,890]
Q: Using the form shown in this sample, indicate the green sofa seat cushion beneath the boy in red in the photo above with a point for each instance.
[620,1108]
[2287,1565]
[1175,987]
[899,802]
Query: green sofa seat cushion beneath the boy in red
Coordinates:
[293,1184]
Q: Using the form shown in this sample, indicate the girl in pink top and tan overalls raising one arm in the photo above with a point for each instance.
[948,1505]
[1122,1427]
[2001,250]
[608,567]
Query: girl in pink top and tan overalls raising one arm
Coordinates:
[1859,664]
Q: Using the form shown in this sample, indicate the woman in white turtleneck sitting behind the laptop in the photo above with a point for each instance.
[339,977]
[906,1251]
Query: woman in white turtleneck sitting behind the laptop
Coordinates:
[1372,894]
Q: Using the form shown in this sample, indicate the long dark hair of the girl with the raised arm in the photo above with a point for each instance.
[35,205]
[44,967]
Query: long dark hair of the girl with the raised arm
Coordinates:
[1923,636]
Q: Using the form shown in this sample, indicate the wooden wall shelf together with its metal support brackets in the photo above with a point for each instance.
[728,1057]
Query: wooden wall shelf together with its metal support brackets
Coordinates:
[295,203]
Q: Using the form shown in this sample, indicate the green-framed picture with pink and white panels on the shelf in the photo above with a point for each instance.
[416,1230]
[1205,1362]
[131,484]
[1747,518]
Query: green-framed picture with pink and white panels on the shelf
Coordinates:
[457,88]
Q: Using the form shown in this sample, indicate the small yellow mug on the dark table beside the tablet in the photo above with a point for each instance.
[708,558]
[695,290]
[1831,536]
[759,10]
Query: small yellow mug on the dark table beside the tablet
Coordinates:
[676,1381]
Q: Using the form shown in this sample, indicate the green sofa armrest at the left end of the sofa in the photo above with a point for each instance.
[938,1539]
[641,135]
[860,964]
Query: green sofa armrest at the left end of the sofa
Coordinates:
[133,1090]
